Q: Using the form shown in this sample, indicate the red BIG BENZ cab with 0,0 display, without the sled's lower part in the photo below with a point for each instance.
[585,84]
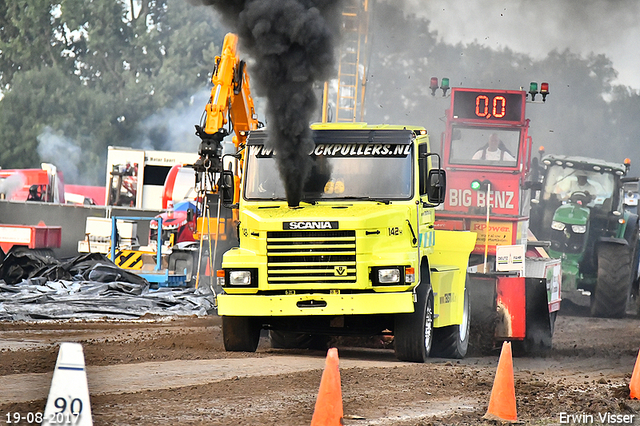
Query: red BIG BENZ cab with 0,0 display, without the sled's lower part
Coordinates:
[487,154]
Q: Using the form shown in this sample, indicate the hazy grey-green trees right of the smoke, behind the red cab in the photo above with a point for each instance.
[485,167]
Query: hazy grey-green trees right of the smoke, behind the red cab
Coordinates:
[584,112]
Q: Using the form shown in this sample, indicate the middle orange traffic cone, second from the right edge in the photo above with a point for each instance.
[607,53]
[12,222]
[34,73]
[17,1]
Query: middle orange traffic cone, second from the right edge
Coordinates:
[502,405]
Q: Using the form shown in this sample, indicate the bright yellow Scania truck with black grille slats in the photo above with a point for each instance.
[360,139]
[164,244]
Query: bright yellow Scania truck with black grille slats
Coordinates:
[359,255]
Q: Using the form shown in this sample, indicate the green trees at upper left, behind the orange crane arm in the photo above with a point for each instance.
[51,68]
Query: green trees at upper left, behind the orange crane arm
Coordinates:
[91,72]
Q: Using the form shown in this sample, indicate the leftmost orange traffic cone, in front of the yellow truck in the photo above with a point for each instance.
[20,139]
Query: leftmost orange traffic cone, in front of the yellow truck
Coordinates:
[328,410]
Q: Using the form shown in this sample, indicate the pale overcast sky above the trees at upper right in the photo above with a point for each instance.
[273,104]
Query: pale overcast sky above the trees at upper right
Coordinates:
[536,27]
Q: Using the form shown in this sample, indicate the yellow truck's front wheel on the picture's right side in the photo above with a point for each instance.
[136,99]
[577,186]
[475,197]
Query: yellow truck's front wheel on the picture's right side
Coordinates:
[413,333]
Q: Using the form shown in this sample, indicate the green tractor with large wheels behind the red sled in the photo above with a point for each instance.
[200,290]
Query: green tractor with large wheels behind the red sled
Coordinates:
[581,210]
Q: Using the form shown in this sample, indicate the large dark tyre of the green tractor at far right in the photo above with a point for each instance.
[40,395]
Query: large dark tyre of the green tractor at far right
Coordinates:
[614,280]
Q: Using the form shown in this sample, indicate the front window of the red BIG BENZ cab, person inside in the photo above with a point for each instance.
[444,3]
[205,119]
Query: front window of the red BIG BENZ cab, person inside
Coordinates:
[484,146]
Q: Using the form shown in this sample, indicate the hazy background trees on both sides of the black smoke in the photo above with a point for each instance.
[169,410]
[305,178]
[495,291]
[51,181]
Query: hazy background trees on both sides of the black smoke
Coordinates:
[93,74]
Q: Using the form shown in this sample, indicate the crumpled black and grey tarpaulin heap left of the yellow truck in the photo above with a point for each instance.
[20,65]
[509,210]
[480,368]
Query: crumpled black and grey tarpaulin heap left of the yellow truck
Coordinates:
[87,286]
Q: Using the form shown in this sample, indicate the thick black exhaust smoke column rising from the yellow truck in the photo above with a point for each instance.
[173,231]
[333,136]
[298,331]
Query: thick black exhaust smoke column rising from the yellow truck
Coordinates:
[292,43]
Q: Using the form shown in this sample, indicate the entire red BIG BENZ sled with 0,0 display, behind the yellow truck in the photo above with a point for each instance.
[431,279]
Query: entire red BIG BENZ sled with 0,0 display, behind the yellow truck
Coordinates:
[487,156]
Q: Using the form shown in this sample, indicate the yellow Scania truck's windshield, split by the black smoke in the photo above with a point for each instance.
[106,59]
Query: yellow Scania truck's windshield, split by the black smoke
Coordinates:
[354,173]
